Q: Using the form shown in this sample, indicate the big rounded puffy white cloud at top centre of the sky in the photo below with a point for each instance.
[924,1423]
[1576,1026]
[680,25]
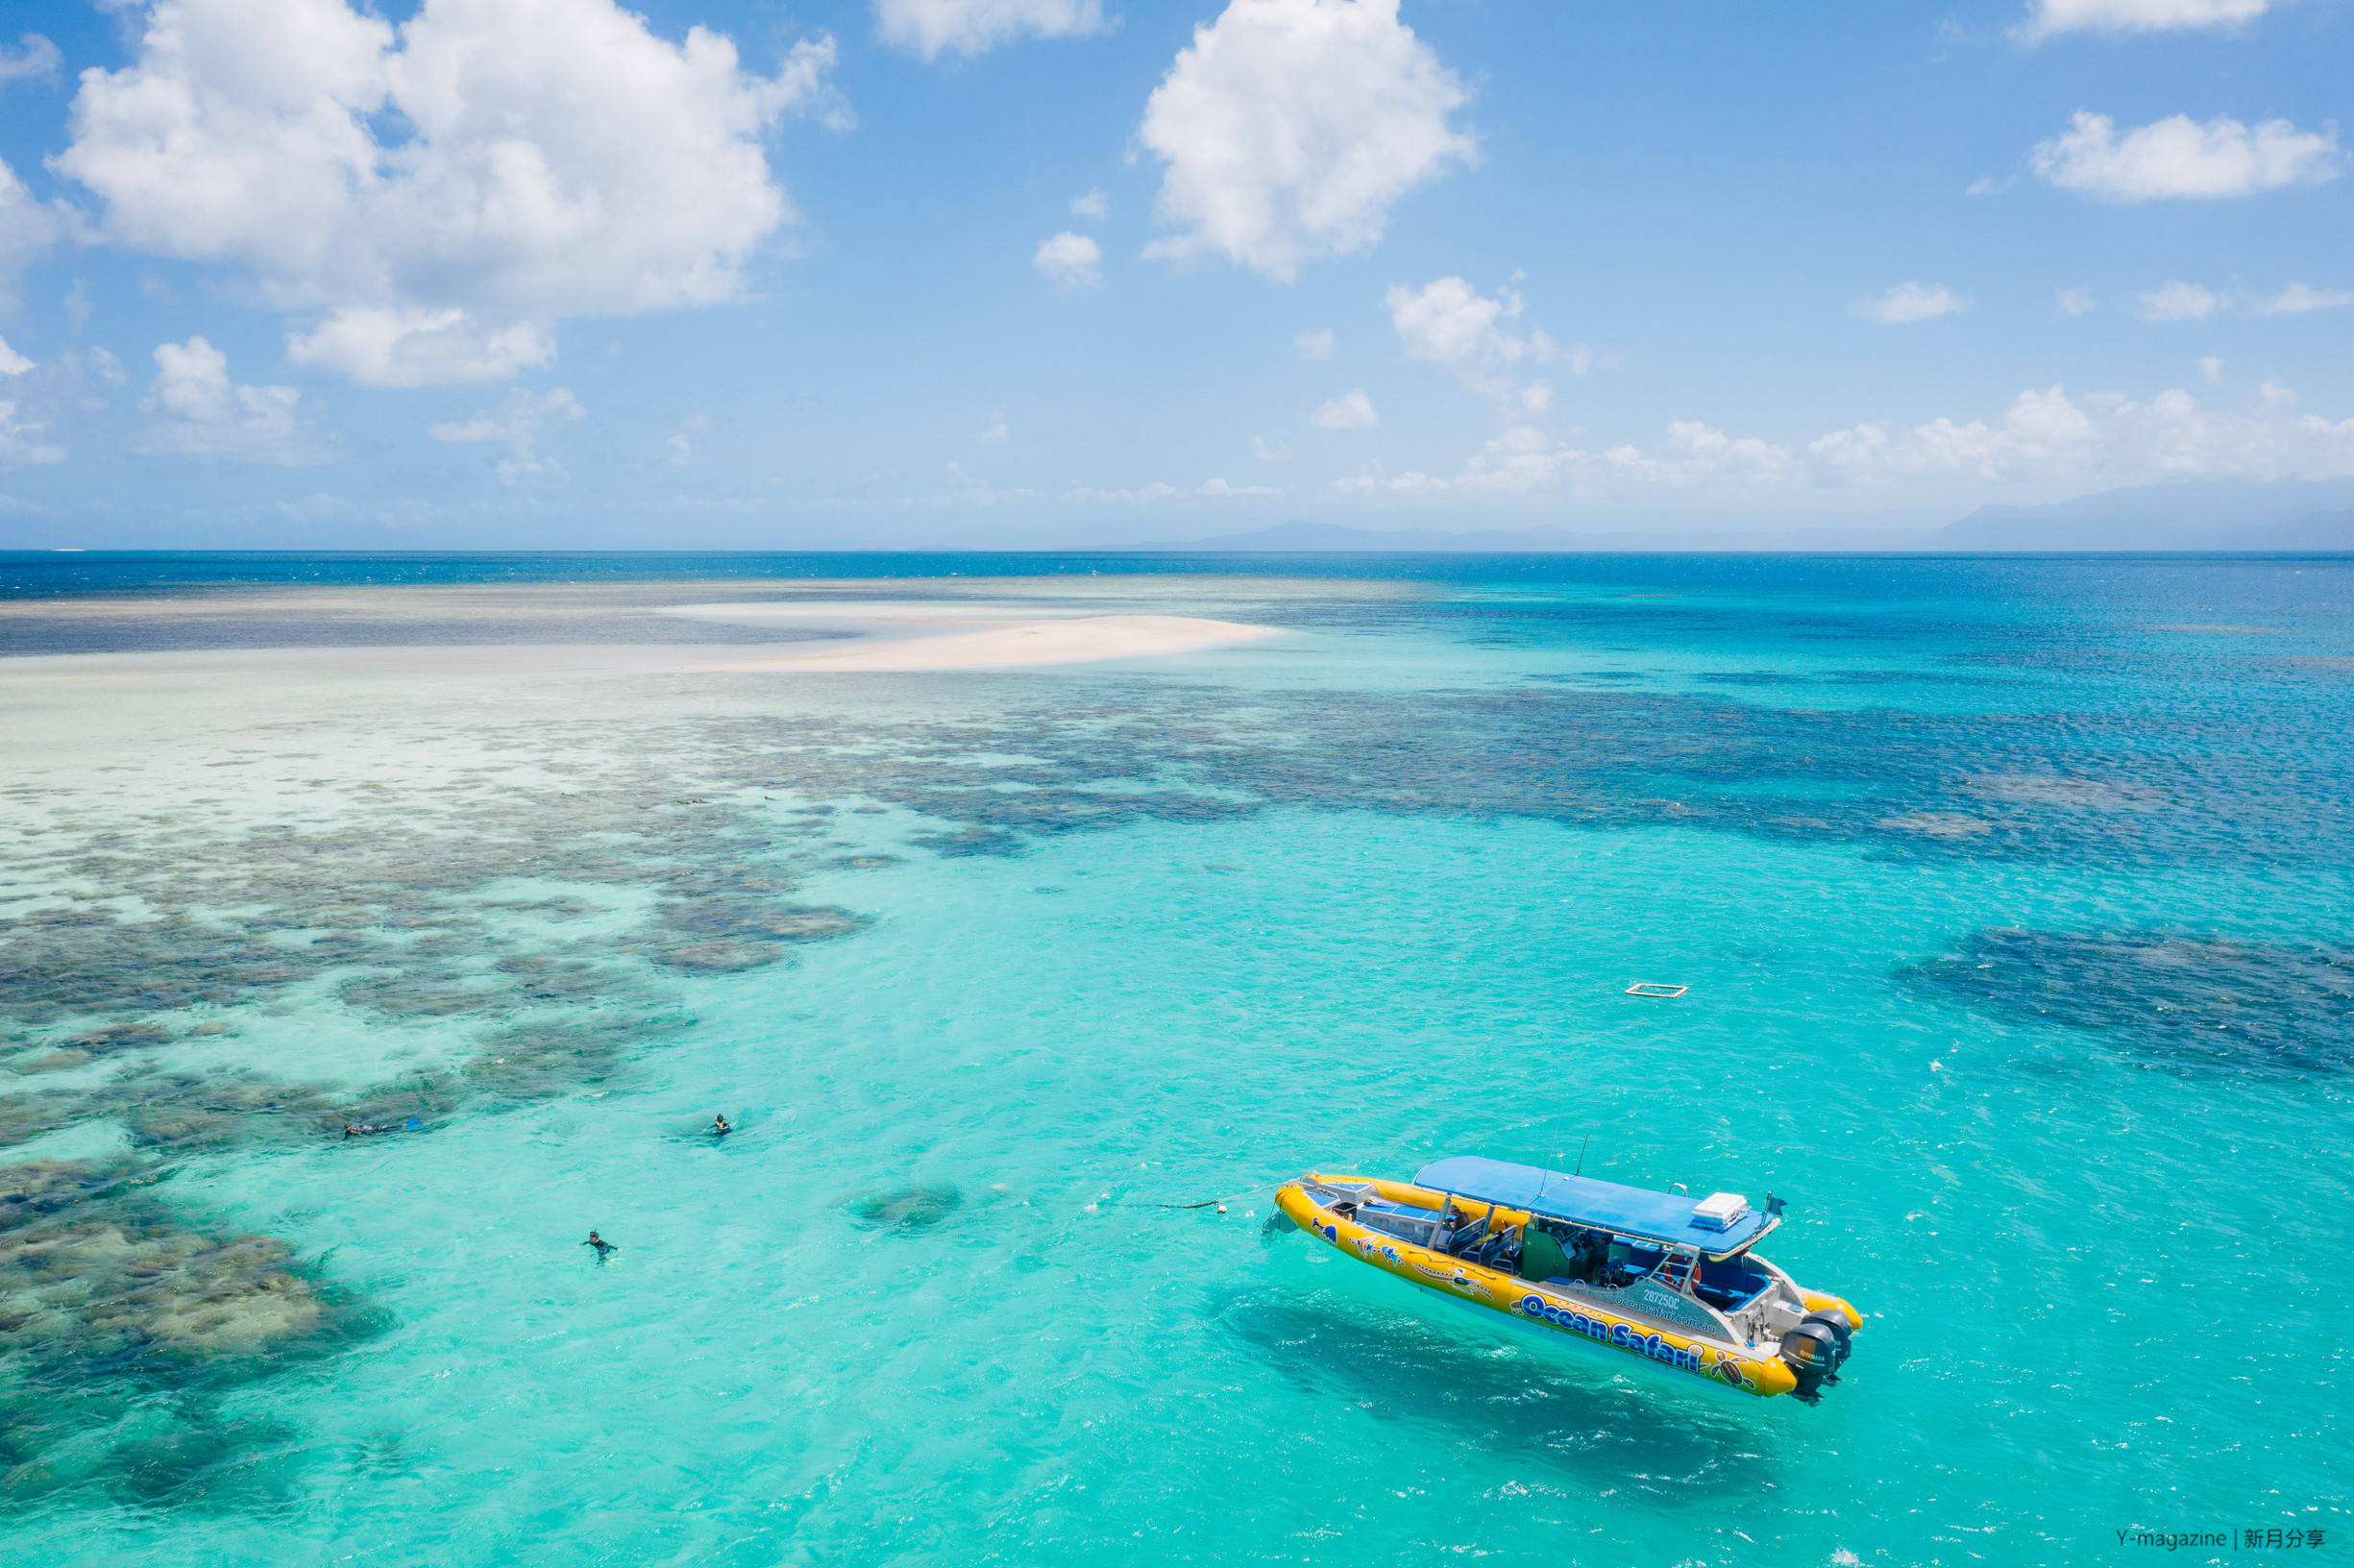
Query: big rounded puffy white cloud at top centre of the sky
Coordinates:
[1291,128]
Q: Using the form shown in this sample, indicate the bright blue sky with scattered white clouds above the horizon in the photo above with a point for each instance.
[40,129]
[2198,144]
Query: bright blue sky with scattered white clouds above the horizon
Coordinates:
[510,274]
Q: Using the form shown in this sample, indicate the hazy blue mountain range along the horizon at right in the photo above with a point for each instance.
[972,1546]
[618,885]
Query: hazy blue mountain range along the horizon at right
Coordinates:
[2186,517]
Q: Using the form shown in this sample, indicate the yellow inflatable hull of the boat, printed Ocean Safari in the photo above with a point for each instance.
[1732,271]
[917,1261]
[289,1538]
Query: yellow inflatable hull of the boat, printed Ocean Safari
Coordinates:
[1529,1305]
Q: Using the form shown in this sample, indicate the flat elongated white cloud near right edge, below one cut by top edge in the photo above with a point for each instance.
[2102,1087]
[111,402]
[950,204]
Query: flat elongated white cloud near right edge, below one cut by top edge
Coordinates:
[2179,159]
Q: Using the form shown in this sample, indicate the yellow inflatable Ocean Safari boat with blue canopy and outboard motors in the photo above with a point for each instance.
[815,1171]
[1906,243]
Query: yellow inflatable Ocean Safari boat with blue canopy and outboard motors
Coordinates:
[1642,1273]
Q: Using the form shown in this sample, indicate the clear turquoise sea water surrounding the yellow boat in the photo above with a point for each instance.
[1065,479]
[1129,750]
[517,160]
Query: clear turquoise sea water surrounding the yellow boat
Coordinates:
[2014,901]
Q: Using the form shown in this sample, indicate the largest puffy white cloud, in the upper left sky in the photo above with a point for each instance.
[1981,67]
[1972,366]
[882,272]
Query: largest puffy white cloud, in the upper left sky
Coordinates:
[552,159]
